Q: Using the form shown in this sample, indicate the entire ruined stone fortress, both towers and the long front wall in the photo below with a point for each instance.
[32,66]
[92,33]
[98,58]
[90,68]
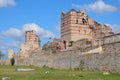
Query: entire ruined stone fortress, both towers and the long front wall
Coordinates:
[96,47]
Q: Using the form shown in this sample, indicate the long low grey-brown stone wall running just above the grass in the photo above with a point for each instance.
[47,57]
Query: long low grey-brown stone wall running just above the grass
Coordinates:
[108,60]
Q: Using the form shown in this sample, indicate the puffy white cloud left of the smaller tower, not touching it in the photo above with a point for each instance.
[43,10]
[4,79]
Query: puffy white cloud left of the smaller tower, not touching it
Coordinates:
[13,33]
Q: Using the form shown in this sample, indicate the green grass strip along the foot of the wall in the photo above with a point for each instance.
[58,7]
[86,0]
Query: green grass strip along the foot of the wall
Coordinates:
[54,74]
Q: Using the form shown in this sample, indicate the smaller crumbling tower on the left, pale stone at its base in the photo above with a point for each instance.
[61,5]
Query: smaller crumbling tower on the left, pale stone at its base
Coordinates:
[32,42]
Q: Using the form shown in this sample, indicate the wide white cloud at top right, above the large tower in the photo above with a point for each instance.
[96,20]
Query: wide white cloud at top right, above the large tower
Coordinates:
[99,6]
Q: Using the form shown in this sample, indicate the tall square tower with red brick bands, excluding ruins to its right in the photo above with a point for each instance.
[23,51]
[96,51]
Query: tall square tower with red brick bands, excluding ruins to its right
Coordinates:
[75,25]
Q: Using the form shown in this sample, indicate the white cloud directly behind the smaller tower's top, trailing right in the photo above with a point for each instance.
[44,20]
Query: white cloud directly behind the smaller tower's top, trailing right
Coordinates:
[40,31]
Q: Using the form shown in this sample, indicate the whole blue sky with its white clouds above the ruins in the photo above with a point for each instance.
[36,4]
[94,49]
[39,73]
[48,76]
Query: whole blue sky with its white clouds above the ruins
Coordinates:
[43,16]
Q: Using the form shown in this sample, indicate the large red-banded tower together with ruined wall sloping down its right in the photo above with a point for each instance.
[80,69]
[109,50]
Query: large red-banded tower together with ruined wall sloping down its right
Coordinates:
[77,25]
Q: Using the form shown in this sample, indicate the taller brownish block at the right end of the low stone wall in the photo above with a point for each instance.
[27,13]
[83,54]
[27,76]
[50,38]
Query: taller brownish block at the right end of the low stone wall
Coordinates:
[111,57]
